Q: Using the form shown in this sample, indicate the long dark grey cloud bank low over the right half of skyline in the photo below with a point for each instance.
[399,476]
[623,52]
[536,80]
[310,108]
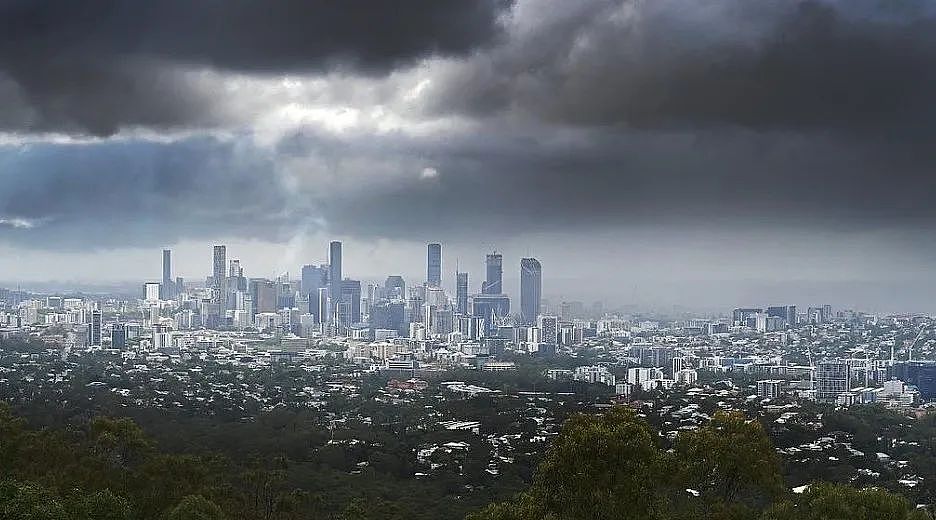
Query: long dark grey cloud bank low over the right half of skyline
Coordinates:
[507,181]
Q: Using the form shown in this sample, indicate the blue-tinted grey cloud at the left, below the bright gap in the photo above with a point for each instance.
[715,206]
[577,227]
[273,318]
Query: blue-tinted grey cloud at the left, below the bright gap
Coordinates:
[124,194]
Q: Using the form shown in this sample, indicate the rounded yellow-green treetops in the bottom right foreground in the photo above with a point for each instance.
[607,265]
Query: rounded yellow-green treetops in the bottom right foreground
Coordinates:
[610,467]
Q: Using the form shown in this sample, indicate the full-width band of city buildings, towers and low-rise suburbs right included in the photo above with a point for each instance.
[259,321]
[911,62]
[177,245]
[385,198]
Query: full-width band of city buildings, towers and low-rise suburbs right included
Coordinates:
[846,358]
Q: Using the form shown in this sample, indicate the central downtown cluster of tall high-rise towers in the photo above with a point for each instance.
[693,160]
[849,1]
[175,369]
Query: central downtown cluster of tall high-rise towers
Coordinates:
[324,302]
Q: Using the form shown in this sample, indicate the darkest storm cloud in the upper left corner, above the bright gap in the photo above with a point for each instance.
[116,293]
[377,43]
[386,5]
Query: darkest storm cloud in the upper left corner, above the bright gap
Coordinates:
[94,67]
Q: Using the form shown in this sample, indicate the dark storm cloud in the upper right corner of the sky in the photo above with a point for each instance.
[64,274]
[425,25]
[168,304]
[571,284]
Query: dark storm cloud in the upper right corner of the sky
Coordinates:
[861,66]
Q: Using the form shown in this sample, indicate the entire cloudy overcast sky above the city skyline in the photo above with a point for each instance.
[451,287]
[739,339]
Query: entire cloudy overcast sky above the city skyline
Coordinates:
[697,152]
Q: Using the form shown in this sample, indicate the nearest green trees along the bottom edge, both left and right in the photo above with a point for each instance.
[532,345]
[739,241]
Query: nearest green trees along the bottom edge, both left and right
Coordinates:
[602,466]
